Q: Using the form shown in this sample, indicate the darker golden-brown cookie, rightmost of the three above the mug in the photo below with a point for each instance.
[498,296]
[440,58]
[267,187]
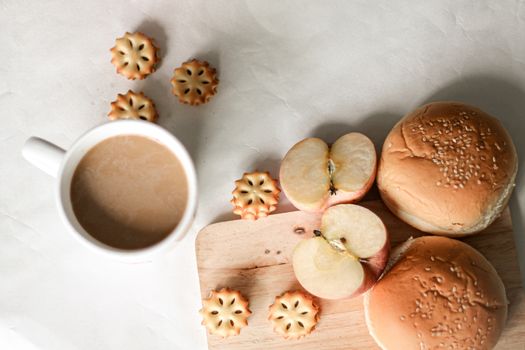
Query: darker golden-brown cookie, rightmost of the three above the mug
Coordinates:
[195,82]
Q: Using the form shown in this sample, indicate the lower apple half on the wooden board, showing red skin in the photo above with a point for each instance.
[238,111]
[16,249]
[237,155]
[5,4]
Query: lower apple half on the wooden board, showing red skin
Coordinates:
[347,255]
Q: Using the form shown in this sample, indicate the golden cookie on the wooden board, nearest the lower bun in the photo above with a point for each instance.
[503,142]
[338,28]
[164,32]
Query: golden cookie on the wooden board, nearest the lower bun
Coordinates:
[293,315]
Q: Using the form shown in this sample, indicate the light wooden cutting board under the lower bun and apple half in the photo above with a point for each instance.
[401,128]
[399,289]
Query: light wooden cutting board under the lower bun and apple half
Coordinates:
[254,257]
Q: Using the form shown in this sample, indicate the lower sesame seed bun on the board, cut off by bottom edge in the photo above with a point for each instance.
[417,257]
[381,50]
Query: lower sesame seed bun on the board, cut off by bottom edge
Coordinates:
[438,293]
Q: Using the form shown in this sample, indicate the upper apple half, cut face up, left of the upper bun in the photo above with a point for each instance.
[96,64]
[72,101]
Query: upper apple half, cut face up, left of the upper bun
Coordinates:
[315,176]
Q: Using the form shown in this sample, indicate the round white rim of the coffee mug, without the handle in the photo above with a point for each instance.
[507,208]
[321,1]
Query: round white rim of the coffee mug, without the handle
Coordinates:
[130,255]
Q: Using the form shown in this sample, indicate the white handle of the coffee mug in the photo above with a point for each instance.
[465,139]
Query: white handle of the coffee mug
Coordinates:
[43,154]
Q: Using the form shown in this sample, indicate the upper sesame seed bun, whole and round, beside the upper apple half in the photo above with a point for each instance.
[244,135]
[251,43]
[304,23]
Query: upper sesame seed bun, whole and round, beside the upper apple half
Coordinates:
[447,168]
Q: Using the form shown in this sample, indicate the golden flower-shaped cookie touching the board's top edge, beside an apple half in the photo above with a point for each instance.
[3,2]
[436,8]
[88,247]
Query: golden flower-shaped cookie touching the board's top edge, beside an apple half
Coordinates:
[255,195]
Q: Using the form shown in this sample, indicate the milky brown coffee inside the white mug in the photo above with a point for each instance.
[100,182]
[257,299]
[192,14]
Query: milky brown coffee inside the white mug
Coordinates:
[129,192]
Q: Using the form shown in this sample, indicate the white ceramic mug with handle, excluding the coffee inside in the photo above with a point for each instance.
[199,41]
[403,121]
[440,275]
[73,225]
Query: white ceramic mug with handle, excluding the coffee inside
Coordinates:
[62,164]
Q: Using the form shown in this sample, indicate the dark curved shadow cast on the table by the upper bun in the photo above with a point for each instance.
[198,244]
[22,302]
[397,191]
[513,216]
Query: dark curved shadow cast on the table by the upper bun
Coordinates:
[506,101]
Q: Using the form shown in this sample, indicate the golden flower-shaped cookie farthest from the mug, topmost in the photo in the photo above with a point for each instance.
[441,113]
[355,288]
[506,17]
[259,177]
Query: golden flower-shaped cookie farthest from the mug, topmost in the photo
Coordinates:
[134,55]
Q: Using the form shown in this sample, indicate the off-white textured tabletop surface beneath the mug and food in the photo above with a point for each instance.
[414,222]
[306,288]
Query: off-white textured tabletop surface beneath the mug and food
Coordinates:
[287,70]
